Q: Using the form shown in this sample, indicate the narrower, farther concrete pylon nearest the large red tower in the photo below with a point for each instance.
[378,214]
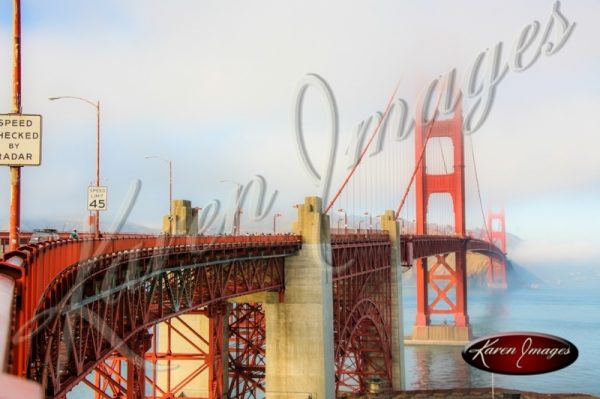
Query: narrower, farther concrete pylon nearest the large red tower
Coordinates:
[389,224]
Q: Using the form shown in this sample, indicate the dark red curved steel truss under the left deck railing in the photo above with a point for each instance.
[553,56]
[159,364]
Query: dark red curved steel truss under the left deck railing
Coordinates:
[76,337]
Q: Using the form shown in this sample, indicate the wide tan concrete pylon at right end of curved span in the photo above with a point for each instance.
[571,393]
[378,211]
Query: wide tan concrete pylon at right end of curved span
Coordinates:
[299,342]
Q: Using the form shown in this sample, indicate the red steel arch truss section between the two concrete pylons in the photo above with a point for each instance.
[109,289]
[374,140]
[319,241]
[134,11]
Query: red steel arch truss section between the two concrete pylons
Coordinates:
[361,309]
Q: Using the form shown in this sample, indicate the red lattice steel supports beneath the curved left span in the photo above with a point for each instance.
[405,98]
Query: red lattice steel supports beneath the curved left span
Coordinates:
[246,352]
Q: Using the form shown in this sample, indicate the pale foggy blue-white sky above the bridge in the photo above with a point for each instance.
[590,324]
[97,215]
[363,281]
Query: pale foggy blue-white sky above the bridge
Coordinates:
[212,86]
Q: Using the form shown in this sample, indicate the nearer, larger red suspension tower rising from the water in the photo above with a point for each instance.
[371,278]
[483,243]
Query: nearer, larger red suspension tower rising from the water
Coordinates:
[440,278]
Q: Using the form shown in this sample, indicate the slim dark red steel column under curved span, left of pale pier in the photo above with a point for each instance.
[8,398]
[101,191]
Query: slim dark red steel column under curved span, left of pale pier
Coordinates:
[136,377]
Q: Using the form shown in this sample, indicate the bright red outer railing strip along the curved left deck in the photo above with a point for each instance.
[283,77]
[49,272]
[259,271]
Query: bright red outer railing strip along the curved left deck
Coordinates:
[40,264]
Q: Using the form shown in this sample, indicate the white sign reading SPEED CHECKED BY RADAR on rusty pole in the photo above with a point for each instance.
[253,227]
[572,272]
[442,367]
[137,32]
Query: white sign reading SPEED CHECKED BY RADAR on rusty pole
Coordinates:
[20,140]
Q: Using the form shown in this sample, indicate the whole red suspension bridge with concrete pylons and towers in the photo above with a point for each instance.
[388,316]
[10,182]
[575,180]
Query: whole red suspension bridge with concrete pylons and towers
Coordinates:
[316,313]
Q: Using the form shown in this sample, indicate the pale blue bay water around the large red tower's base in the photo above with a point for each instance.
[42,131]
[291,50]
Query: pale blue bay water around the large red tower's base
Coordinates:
[572,313]
